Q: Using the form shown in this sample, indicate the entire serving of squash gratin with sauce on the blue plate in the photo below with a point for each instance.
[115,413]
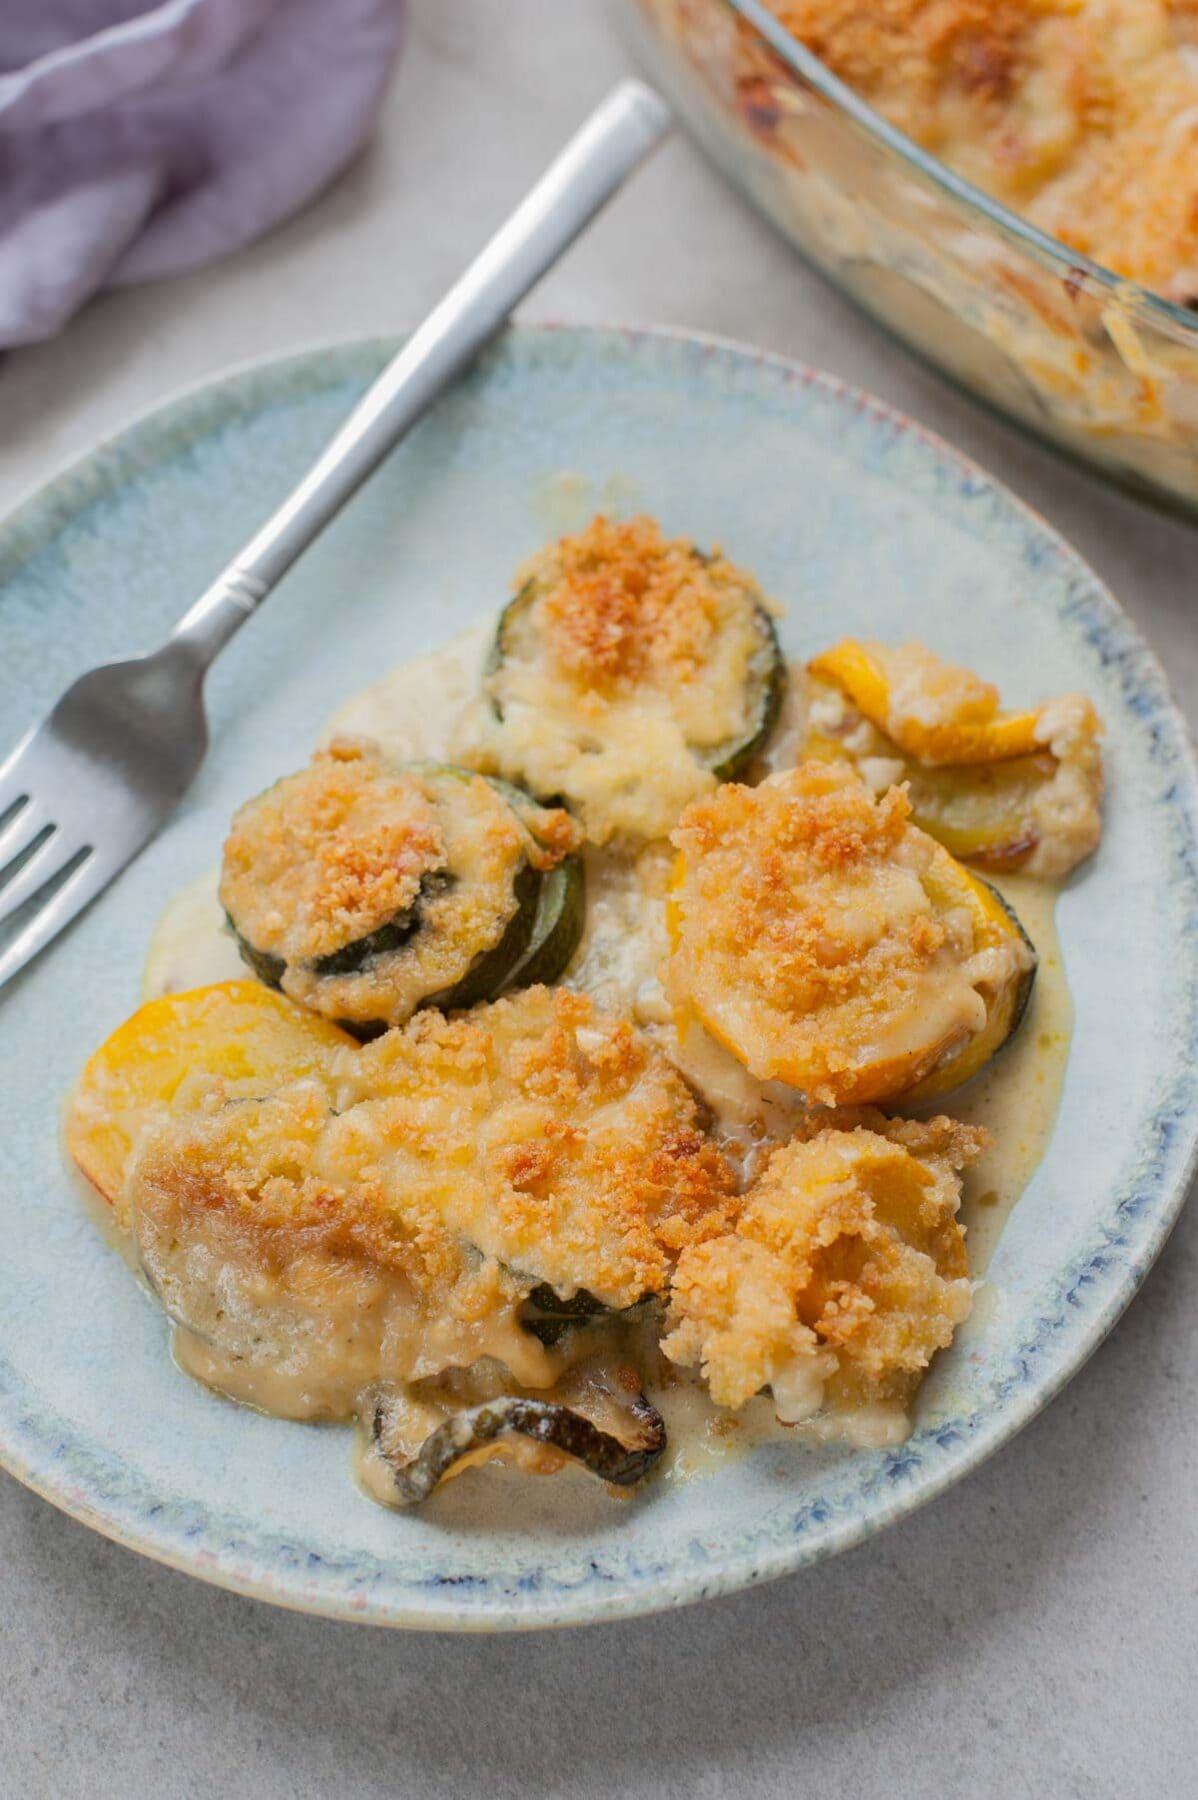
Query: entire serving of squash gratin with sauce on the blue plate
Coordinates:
[586,1063]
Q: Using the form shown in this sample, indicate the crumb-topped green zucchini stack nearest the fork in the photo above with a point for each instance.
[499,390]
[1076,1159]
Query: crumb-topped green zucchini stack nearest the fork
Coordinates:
[366,892]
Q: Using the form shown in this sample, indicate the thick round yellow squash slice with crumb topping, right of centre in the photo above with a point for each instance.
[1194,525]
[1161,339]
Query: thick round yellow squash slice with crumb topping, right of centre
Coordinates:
[832,946]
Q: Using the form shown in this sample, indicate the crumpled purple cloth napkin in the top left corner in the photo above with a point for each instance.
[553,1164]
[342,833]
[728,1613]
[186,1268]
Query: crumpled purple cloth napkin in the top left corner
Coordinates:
[138,139]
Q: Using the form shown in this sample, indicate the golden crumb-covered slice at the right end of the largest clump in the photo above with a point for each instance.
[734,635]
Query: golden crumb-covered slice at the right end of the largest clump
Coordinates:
[559,1140]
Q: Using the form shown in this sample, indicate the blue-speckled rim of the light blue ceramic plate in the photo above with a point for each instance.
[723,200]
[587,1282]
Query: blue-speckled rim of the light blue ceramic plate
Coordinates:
[1093,1290]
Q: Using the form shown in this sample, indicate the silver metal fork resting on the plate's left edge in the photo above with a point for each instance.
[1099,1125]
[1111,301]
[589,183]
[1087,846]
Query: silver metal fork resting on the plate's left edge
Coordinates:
[91,786]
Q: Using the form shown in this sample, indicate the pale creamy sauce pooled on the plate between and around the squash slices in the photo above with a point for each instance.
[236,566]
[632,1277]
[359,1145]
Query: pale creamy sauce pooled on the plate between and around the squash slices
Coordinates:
[413,714]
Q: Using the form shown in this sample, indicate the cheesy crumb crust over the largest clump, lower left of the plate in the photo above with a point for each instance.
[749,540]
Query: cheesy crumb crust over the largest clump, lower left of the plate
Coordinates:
[384,1216]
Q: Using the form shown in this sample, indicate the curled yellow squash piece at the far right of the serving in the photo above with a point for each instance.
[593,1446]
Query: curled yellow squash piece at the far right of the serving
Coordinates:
[1008,791]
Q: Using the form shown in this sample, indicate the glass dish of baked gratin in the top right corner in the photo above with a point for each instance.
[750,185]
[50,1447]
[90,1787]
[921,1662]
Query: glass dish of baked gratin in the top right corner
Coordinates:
[1012,186]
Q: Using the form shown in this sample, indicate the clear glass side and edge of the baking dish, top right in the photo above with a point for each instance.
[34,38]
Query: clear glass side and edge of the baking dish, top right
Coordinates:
[1098,364]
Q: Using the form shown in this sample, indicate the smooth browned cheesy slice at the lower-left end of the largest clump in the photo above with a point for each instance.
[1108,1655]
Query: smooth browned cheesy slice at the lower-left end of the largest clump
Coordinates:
[299,1281]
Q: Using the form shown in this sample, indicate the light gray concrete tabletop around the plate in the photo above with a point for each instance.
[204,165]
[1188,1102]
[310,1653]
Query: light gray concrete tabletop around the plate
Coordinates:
[1037,1632]
